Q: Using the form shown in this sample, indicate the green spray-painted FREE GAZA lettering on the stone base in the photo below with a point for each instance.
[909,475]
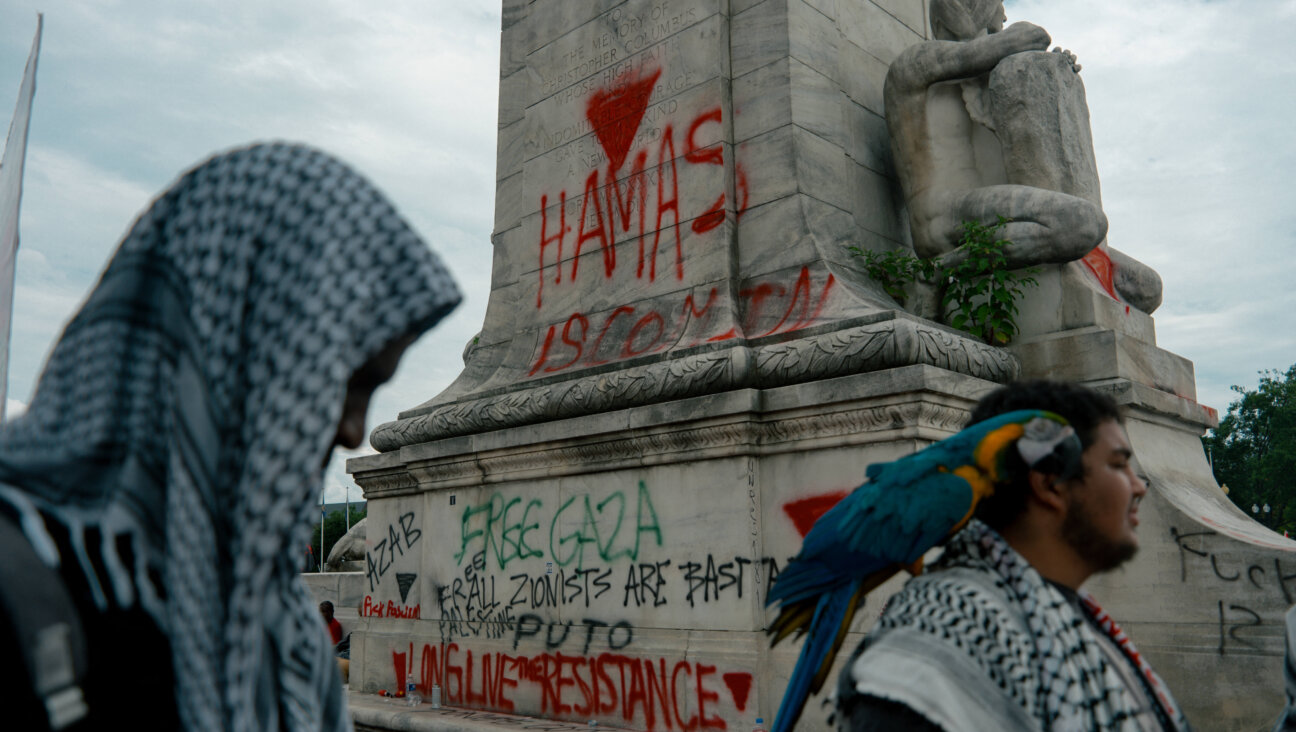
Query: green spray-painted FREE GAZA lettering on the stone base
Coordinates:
[491,529]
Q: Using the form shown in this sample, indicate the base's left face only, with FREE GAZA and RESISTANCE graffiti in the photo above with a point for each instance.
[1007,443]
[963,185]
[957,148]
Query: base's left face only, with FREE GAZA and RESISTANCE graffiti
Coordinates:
[615,567]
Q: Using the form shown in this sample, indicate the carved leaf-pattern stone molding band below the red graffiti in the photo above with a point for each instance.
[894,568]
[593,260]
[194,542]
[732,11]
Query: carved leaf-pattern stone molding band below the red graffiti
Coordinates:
[890,344]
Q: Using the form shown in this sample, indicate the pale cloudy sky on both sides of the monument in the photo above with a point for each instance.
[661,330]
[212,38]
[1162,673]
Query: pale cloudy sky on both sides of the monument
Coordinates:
[1193,104]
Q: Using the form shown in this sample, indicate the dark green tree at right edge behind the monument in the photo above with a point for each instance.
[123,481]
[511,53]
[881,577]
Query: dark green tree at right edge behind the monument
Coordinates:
[1254,450]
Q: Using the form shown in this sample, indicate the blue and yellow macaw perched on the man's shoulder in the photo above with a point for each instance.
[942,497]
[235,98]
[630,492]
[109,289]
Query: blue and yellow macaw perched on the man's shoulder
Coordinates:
[888,524]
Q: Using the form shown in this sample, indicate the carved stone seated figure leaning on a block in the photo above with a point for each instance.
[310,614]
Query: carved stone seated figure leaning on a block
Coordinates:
[986,122]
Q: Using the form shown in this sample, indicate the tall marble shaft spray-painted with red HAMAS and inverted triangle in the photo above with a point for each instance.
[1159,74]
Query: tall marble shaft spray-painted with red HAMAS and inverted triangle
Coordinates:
[678,178]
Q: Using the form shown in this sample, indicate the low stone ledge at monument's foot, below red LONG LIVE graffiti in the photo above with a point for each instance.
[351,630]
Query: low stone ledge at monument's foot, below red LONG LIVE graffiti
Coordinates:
[373,713]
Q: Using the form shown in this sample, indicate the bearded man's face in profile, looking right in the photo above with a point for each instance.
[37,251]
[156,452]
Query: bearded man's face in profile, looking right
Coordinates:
[1102,505]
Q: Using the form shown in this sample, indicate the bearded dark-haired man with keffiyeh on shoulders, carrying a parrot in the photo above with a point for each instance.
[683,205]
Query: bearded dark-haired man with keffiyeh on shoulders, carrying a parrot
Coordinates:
[997,634]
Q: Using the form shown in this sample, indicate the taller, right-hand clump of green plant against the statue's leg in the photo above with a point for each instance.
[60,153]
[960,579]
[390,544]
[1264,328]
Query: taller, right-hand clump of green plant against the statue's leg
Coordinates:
[982,293]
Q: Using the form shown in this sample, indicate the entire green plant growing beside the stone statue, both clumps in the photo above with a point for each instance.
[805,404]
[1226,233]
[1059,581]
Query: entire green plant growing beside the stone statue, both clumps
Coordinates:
[979,293]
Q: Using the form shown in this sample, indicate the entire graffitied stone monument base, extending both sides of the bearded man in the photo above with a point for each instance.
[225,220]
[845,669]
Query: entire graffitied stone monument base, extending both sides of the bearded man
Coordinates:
[615,567]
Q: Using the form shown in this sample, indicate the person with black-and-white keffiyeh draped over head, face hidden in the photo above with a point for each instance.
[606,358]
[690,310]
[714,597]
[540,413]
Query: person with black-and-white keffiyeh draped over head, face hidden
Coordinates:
[169,464]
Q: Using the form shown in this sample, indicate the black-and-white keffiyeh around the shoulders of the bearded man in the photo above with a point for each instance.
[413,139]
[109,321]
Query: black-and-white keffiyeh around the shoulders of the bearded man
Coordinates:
[984,642]
